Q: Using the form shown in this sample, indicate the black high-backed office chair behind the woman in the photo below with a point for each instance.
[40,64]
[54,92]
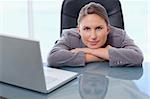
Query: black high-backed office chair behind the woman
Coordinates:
[70,10]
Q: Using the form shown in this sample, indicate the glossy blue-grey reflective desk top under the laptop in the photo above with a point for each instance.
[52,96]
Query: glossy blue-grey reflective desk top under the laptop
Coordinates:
[96,81]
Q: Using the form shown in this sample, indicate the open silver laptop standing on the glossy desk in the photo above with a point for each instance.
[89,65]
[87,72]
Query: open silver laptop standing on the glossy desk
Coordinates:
[21,65]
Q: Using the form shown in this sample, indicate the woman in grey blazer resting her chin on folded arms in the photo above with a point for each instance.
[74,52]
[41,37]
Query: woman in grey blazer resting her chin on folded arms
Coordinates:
[94,40]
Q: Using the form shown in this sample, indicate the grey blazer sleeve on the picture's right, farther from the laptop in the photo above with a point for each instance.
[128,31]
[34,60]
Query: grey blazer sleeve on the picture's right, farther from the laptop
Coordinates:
[127,55]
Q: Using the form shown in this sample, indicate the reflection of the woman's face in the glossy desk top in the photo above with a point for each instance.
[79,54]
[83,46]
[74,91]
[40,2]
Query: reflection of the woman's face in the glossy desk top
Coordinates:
[92,86]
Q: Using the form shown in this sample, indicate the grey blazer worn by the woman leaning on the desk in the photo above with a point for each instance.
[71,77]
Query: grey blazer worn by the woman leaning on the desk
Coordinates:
[123,53]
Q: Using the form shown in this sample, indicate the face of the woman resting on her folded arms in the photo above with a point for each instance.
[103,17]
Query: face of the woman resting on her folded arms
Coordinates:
[93,31]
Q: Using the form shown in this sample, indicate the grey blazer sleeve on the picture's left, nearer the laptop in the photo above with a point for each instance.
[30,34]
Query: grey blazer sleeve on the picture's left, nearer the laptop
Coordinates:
[61,55]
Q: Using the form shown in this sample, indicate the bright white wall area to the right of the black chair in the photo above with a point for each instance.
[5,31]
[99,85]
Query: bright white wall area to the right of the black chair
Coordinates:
[137,23]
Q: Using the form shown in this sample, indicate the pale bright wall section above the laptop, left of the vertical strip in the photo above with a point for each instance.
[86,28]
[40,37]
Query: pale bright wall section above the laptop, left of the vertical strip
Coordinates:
[13,17]
